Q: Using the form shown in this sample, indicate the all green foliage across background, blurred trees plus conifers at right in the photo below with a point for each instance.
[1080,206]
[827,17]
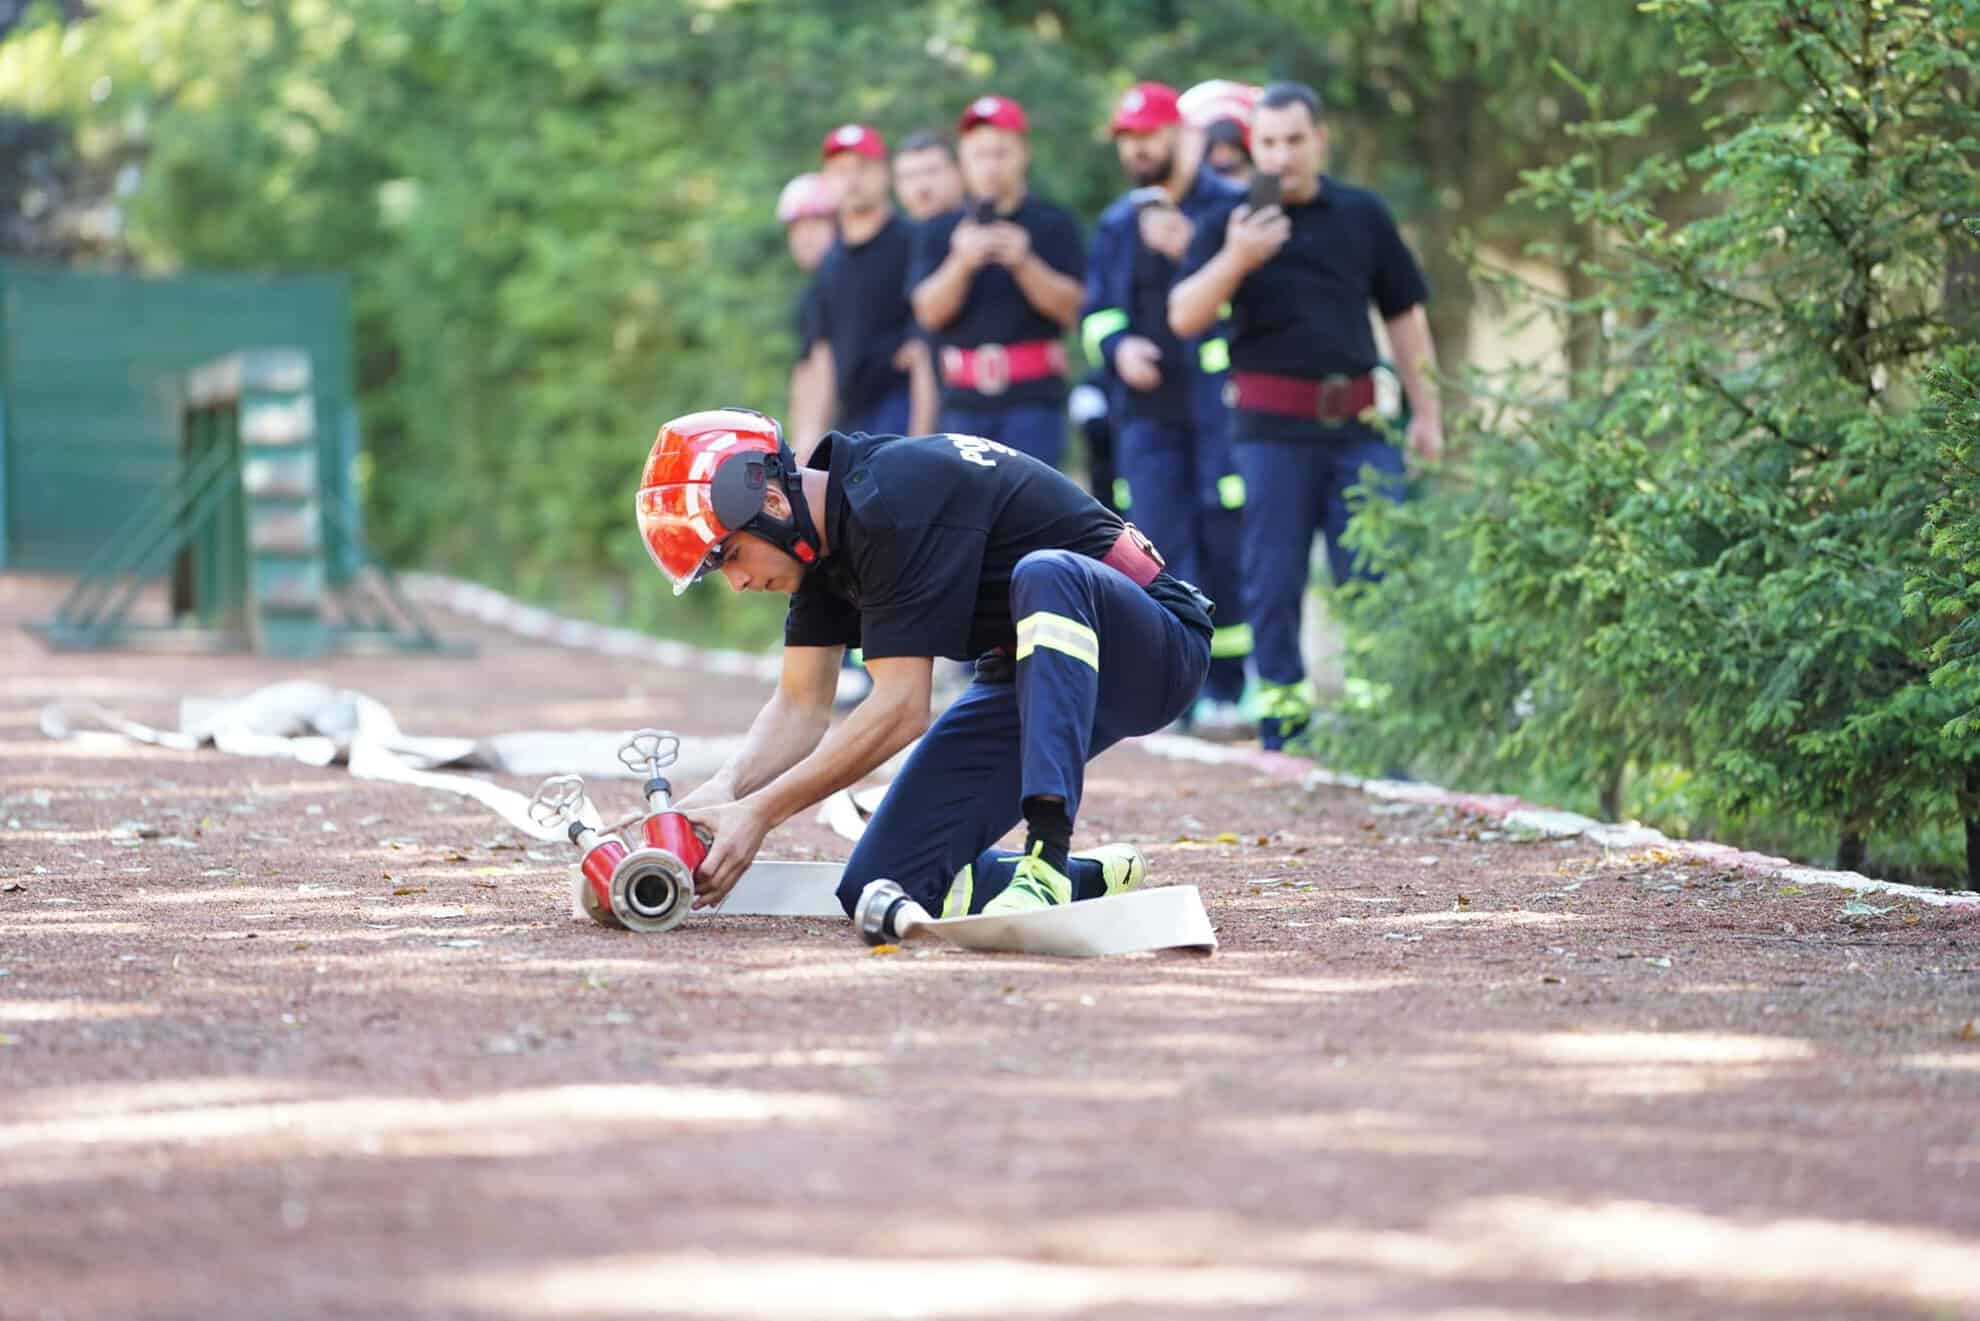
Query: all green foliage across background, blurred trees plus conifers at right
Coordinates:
[1716,569]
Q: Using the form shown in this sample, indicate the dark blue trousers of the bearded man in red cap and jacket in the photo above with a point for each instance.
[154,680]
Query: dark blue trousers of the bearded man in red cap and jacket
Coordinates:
[1175,500]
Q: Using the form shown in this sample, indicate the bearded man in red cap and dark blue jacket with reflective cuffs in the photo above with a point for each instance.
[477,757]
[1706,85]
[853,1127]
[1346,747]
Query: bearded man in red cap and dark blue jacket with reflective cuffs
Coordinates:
[1171,441]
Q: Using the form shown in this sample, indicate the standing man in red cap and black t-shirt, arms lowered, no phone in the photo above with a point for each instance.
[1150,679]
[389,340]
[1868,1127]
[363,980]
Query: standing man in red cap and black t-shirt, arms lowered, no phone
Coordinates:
[866,328]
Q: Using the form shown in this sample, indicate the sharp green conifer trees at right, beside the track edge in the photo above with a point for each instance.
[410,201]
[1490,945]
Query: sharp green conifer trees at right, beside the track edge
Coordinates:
[1694,563]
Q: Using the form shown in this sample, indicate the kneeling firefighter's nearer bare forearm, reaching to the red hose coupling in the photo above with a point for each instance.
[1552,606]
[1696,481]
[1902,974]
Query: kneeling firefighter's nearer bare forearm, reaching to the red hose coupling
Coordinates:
[894,716]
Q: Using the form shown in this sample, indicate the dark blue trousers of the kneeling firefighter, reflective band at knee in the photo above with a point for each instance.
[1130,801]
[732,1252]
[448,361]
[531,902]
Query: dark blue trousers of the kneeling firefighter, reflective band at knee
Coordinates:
[1100,660]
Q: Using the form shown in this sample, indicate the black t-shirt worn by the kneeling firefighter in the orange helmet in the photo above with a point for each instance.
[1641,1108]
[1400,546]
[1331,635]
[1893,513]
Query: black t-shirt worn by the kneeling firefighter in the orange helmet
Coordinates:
[926,534]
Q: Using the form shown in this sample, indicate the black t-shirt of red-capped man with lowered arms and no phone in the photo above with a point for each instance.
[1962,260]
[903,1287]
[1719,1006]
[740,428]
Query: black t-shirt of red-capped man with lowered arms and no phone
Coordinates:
[866,316]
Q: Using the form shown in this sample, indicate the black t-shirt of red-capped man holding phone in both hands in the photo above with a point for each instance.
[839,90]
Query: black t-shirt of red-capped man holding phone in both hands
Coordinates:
[995,312]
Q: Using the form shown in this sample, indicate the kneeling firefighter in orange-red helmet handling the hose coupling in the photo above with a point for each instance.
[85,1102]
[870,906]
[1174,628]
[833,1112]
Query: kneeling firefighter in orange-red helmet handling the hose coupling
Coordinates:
[912,550]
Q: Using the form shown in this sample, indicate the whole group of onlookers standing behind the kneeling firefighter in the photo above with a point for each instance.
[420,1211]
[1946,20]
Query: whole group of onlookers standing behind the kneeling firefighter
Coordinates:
[1235,391]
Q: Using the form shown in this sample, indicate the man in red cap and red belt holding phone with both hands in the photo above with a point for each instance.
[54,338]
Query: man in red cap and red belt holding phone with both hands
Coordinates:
[999,284]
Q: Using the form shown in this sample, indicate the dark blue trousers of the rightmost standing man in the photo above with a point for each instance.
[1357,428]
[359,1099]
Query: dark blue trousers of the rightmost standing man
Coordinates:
[1294,490]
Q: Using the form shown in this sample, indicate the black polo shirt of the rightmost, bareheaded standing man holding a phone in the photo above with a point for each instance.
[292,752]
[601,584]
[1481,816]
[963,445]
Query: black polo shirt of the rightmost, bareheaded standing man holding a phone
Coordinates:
[1306,312]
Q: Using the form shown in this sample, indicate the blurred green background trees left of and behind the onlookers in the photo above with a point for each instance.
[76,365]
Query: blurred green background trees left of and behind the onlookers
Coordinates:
[559,211]
